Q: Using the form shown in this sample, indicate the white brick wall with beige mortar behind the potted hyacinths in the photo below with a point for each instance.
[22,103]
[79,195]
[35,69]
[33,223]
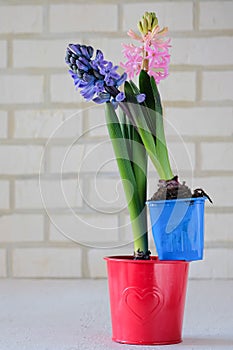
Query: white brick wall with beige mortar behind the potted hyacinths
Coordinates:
[40,110]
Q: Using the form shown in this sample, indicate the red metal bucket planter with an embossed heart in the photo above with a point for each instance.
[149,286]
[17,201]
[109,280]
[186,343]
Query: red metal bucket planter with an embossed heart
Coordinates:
[147,300]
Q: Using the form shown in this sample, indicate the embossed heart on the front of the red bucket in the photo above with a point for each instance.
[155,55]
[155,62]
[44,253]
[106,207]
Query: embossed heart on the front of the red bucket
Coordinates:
[143,303]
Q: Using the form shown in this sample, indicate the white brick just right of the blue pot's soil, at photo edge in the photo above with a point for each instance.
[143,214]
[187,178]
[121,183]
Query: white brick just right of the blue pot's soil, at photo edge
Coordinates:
[218,188]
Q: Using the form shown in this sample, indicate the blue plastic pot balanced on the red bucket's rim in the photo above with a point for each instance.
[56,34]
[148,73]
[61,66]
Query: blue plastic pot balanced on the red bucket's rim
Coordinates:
[178,228]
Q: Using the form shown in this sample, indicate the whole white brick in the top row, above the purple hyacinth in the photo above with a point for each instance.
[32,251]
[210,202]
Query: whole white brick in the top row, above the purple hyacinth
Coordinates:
[75,19]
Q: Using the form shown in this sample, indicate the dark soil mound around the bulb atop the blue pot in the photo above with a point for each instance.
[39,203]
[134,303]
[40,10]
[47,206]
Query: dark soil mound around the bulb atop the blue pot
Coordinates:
[173,189]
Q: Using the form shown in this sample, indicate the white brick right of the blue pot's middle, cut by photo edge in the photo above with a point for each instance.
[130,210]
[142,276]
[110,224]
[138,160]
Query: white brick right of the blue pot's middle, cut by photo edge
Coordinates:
[218,227]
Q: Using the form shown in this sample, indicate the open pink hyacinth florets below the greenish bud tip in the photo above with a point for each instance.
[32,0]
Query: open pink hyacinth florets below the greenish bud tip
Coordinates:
[154,51]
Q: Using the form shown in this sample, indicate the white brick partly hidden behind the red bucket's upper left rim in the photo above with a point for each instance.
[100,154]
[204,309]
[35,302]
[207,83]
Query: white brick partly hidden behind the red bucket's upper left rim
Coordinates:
[97,265]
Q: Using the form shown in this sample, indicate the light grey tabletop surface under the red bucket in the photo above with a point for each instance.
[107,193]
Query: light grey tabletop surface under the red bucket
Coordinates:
[74,315]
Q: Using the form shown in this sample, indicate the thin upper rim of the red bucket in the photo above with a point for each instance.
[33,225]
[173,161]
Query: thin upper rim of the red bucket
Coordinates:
[153,259]
